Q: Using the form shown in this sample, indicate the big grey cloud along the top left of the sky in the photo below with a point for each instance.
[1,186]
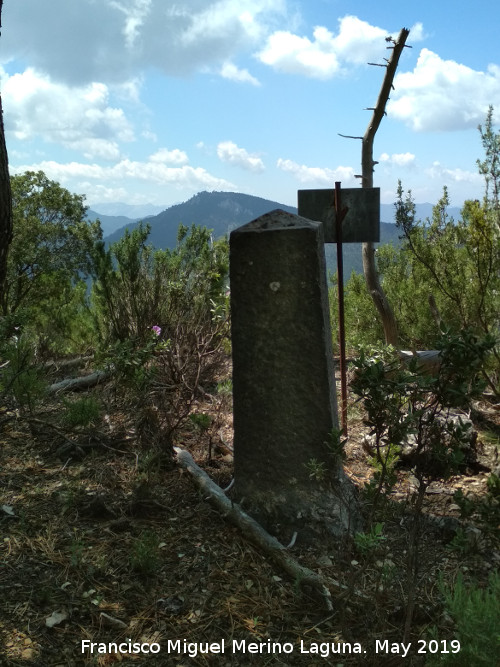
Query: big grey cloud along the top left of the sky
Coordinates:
[112,40]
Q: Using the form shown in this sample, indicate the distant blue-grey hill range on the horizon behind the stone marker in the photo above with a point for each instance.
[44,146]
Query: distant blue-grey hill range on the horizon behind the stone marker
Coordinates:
[224,211]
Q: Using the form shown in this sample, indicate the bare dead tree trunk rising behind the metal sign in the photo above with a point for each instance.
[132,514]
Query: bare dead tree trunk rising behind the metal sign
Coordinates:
[367,164]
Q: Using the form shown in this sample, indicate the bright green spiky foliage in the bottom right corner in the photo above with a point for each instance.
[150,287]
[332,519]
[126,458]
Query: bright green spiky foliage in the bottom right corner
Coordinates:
[476,613]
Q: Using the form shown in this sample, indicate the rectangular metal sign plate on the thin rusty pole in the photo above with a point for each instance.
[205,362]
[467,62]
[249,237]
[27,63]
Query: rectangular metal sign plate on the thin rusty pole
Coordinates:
[362,221]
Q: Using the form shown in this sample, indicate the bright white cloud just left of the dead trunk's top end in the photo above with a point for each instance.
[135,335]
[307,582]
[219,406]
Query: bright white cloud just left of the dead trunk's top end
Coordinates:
[326,54]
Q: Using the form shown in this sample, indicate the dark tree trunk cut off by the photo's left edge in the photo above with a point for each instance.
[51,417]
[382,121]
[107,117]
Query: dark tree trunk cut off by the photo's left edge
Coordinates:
[5,205]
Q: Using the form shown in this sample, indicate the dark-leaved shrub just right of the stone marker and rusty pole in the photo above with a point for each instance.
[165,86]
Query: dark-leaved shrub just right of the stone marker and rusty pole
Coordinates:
[404,404]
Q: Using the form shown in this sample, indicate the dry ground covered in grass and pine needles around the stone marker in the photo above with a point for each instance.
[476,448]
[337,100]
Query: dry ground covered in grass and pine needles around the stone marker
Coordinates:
[126,549]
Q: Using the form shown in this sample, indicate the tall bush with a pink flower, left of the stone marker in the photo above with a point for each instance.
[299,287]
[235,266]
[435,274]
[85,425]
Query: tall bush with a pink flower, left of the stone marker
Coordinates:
[163,317]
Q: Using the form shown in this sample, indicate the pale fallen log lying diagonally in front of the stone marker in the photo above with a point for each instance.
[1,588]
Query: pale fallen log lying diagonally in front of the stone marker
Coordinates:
[252,530]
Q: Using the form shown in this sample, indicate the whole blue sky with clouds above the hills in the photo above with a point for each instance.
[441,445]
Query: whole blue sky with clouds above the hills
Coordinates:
[152,101]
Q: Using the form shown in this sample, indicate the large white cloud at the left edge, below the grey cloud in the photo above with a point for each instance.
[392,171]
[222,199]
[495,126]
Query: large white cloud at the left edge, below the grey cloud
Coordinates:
[78,118]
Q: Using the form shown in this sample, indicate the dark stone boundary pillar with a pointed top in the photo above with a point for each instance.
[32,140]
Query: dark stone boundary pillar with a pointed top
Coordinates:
[284,400]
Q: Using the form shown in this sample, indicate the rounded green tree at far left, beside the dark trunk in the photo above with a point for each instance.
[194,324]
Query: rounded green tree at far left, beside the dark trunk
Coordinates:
[49,256]
